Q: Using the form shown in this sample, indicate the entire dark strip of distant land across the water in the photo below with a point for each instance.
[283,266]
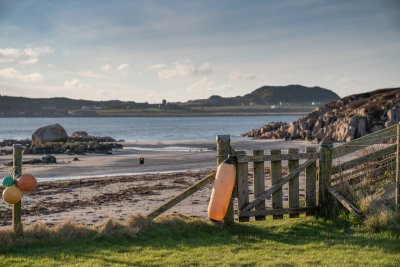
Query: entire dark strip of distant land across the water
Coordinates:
[266,100]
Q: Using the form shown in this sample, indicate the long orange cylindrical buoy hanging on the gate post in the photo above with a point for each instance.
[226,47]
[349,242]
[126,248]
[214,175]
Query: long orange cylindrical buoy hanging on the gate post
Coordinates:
[222,190]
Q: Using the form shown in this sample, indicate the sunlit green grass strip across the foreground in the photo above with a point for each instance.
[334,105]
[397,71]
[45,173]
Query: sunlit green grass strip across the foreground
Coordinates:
[180,241]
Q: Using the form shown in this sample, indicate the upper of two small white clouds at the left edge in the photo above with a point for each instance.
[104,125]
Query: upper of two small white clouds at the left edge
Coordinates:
[29,55]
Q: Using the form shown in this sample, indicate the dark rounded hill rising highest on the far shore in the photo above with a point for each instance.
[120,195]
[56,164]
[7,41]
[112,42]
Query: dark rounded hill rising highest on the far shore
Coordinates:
[275,95]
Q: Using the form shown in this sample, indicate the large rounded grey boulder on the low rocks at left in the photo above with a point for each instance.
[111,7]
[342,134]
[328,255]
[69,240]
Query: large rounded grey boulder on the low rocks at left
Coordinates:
[49,133]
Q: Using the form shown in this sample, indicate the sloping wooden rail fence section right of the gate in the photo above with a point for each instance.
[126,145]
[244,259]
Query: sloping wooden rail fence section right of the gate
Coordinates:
[365,162]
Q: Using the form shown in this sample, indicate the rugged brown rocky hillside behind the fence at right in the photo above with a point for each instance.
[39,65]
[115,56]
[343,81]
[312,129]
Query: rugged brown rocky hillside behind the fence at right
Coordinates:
[341,120]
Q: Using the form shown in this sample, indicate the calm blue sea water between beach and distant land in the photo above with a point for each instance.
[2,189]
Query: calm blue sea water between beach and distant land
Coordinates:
[143,128]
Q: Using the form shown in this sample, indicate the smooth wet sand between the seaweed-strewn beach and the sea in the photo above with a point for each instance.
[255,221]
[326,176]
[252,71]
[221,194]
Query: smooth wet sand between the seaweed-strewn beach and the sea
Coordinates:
[158,159]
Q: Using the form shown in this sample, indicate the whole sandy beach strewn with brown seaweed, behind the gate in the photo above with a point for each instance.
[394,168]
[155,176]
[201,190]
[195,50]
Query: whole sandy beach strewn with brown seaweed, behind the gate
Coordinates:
[98,186]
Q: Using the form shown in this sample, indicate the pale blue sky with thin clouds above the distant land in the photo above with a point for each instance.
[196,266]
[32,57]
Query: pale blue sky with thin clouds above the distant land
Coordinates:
[178,50]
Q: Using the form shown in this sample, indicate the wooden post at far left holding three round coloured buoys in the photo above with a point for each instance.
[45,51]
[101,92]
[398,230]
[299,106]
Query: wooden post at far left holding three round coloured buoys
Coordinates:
[17,171]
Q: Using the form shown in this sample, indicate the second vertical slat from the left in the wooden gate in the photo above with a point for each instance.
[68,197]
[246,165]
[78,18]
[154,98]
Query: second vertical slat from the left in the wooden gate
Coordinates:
[259,181]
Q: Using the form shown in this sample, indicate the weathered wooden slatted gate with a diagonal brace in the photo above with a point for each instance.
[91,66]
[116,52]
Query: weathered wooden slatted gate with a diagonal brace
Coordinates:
[297,162]
